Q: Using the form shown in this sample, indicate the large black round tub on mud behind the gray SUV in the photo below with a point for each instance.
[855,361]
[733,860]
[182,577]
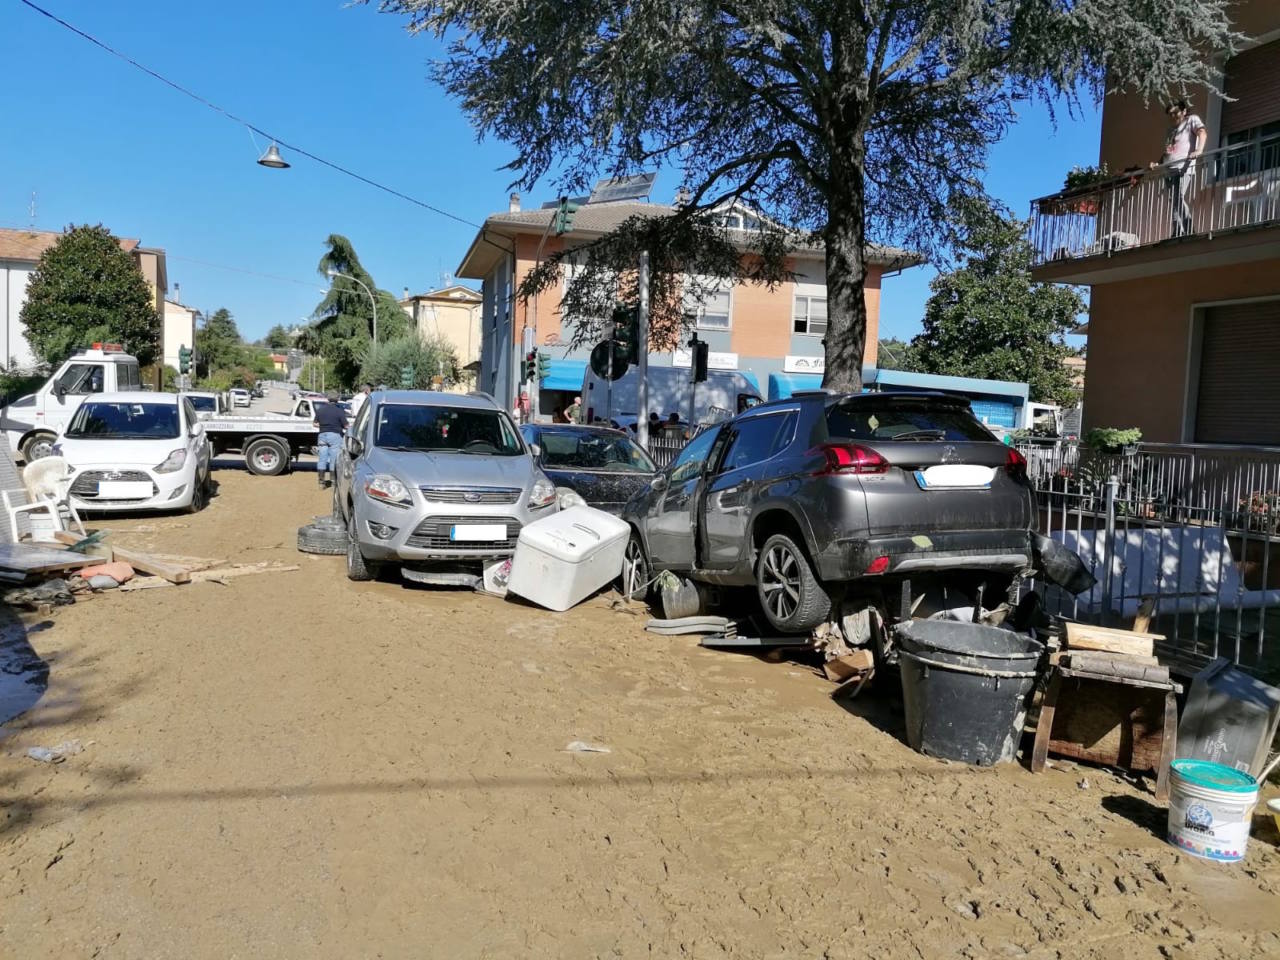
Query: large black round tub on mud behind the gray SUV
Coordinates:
[966,689]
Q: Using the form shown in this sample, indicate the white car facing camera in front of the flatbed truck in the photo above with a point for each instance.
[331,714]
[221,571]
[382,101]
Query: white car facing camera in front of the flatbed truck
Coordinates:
[136,452]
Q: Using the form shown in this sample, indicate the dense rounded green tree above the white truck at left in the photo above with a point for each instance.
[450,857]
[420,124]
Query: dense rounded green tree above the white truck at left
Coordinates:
[84,290]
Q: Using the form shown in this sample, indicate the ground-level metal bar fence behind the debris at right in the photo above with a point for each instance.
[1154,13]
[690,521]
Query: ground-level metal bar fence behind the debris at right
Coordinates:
[1191,528]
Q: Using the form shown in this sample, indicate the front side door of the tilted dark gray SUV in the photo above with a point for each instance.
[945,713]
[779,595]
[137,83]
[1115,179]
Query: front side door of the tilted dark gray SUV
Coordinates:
[726,509]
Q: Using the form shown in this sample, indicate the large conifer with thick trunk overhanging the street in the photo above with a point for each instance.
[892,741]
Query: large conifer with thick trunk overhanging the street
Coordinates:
[838,117]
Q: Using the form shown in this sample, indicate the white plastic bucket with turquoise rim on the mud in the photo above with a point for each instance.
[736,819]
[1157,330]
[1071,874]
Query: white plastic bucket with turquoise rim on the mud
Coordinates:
[1210,810]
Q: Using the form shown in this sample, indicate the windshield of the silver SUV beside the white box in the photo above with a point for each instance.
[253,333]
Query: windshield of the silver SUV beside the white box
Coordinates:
[406,427]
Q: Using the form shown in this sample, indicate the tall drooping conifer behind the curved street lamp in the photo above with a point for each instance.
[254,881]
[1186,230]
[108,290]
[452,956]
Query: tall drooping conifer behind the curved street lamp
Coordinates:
[345,319]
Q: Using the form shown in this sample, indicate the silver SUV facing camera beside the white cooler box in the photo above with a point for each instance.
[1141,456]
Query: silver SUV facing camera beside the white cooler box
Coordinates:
[436,482]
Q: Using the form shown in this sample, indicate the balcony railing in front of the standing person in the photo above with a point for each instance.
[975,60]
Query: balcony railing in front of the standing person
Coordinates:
[1222,190]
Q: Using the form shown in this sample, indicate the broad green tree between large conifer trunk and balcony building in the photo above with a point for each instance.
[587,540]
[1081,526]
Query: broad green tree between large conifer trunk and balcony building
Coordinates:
[989,319]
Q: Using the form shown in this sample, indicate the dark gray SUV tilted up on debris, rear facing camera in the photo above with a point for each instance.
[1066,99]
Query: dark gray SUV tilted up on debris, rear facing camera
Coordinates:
[822,499]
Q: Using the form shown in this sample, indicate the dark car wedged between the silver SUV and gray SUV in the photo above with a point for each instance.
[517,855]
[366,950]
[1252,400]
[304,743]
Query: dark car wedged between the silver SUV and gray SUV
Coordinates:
[605,468]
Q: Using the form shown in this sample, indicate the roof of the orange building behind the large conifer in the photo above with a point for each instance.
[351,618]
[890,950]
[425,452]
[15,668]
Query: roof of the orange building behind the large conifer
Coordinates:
[597,220]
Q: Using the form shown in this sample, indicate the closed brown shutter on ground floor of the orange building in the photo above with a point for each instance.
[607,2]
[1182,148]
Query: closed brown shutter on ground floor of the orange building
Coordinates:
[1240,392]
